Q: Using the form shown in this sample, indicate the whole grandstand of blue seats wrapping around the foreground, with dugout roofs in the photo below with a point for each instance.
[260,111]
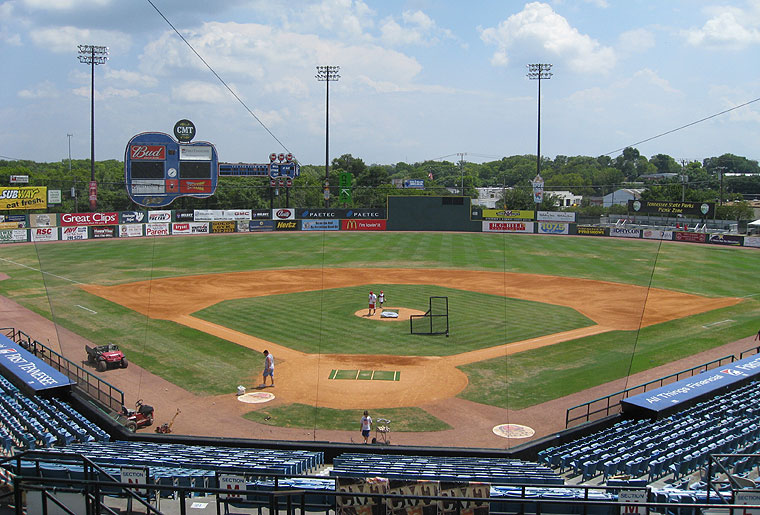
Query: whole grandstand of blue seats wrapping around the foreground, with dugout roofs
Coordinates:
[698,450]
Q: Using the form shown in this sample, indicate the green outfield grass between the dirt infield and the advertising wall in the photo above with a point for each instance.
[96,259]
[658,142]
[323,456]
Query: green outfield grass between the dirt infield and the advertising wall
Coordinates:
[204,364]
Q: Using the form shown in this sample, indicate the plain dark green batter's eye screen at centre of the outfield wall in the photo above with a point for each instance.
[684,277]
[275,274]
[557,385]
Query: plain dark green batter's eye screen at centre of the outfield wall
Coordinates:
[417,213]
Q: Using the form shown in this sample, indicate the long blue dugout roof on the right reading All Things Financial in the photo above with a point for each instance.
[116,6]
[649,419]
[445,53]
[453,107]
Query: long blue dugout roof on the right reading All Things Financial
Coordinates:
[691,388]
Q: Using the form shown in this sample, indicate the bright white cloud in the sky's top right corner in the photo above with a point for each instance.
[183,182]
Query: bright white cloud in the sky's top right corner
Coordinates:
[729,27]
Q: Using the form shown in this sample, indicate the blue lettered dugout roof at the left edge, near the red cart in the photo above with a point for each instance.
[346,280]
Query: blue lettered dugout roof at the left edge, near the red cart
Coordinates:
[21,364]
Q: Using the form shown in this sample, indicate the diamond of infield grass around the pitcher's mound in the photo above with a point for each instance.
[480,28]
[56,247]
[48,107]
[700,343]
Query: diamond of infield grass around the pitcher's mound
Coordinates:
[476,320]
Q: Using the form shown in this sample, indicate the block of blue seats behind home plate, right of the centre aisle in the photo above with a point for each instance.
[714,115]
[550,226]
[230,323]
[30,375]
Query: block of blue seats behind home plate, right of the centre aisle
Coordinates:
[490,470]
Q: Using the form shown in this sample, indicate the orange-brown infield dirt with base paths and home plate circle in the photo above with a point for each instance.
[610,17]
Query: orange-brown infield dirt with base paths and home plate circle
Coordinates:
[303,378]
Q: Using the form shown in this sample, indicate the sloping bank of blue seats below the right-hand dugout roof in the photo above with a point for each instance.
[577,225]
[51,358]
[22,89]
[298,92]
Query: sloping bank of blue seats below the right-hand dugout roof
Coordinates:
[679,443]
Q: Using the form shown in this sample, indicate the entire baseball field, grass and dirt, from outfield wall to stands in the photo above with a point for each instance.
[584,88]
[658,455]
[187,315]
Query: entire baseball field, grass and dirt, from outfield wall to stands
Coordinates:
[536,323]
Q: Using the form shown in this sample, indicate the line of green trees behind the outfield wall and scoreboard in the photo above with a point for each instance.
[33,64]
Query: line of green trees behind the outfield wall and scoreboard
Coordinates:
[661,176]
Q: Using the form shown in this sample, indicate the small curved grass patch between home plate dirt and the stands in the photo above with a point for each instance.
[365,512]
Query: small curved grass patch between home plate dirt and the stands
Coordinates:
[309,417]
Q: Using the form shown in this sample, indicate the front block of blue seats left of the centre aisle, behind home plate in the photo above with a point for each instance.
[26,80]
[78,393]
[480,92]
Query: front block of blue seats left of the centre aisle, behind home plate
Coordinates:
[246,460]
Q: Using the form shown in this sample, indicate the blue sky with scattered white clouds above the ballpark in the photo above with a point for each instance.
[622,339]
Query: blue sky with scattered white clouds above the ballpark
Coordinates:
[419,79]
